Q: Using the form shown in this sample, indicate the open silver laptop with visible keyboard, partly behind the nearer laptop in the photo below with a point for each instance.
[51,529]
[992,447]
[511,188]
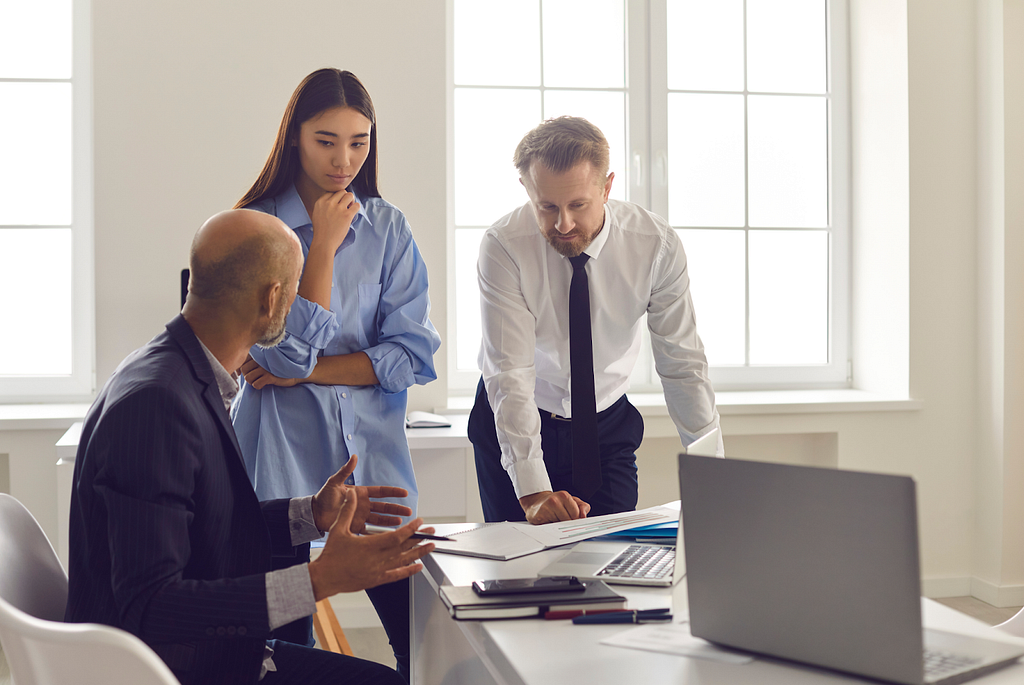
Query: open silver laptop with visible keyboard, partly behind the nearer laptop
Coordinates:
[631,564]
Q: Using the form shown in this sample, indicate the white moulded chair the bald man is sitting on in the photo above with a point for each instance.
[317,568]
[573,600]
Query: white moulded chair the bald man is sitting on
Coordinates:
[40,649]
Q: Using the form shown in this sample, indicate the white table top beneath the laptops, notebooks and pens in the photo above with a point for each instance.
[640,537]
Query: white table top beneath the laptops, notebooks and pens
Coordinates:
[536,652]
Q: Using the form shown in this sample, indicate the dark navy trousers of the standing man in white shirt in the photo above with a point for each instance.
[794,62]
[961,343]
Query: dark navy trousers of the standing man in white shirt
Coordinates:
[620,432]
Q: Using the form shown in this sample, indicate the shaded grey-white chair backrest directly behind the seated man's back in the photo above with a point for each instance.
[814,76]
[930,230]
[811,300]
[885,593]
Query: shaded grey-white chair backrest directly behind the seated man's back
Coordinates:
[31,576]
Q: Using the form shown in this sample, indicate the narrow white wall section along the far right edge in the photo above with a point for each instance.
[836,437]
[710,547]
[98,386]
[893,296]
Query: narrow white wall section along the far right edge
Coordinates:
[999,551]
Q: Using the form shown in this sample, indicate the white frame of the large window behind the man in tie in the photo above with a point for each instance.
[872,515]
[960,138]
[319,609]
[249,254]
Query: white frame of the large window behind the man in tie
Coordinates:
[647,179]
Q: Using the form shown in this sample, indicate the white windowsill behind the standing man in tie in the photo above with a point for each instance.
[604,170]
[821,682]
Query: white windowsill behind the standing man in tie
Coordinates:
[765,402]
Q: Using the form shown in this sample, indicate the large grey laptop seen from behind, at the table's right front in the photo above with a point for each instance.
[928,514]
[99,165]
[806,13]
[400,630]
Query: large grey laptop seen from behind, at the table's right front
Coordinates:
[817,566]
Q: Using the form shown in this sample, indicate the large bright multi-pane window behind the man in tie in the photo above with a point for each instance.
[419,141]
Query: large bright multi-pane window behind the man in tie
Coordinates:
[728,118]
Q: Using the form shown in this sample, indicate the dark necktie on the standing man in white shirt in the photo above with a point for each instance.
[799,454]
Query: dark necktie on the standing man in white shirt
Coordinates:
[586,454]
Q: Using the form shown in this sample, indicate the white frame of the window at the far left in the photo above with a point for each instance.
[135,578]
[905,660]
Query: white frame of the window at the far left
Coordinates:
[80,384]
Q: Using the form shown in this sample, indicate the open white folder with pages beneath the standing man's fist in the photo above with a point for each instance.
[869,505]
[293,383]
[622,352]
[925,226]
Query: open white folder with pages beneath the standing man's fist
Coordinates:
[508,541]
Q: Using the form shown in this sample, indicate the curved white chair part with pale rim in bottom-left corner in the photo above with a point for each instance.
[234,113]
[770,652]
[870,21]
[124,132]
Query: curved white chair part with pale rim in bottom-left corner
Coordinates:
[47,653]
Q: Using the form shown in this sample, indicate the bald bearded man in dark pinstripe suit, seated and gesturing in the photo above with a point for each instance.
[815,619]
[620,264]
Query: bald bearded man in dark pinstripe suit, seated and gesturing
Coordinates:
[168,540]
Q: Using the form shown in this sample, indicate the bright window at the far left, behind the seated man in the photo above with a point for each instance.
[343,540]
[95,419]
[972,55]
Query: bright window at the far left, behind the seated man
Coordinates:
[46,206]
